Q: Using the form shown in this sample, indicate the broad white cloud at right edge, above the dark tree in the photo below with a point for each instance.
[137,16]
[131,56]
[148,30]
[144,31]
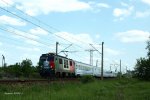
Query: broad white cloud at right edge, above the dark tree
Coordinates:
[132,36]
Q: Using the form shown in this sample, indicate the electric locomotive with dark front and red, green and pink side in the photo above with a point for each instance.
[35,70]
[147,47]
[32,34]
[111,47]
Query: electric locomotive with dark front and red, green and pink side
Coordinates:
[56,65]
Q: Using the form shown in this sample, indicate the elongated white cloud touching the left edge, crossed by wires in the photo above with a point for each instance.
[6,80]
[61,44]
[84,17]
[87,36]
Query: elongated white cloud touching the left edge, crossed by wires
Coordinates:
[11,21]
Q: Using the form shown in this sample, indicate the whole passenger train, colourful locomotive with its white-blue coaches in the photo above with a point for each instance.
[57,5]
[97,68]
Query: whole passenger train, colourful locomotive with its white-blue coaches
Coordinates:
[59,66]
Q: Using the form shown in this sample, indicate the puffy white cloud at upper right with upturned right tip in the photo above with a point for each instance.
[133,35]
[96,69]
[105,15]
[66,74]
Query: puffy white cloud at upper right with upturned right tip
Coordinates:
[121,13]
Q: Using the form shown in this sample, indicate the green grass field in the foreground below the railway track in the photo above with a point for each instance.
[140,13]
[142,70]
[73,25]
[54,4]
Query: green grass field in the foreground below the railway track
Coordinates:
[124,89]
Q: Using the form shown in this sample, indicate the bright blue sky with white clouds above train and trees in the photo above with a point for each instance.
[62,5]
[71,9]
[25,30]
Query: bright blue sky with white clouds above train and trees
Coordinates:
[29,28]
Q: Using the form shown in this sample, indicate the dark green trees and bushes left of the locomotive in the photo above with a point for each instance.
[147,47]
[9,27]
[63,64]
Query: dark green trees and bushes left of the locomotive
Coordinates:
[25,69]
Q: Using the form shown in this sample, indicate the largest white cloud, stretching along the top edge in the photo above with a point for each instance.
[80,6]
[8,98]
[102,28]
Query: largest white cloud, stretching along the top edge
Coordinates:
[36,7]
